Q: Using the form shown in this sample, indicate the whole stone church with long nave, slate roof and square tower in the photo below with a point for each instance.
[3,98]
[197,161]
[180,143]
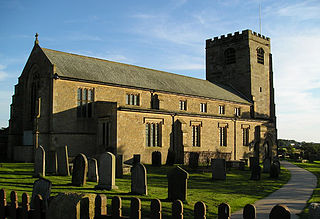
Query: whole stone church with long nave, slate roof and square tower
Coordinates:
[94,105]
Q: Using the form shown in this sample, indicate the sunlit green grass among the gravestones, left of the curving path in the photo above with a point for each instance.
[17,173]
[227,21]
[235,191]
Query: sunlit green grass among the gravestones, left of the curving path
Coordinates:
[237,190]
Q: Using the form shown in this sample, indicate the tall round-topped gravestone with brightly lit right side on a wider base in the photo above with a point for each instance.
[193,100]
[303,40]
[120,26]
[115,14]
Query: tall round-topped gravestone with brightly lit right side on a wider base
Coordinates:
[107,172]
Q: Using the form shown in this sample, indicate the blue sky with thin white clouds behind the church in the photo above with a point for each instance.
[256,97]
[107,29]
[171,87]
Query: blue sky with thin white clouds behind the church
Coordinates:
[170,35]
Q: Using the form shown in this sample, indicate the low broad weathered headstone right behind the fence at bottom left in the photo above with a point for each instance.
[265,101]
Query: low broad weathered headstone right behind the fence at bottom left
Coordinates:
[71,205]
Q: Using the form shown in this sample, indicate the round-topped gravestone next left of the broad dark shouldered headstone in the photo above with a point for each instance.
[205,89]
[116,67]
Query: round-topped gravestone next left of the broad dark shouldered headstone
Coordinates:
[139,179]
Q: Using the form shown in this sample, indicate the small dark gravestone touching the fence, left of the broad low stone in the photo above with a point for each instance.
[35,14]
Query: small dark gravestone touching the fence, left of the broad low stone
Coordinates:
[41,187]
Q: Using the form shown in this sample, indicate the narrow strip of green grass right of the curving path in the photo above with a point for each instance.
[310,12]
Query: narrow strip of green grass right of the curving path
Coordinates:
[315,169]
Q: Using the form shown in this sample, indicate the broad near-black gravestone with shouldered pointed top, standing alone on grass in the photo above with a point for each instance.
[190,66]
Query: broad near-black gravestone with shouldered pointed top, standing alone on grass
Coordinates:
[177,184]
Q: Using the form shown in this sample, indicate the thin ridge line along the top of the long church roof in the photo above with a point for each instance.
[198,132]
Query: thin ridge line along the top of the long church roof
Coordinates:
[105,60]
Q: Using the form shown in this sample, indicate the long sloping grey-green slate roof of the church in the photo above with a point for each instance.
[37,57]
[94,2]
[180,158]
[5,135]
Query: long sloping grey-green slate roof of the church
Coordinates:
[93,69]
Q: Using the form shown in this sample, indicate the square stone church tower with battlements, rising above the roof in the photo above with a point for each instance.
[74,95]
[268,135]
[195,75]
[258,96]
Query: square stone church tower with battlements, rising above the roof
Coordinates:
[243,61]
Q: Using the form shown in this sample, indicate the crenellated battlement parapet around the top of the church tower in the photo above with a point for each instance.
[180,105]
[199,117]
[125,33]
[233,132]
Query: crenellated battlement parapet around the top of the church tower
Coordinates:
[236,36]
